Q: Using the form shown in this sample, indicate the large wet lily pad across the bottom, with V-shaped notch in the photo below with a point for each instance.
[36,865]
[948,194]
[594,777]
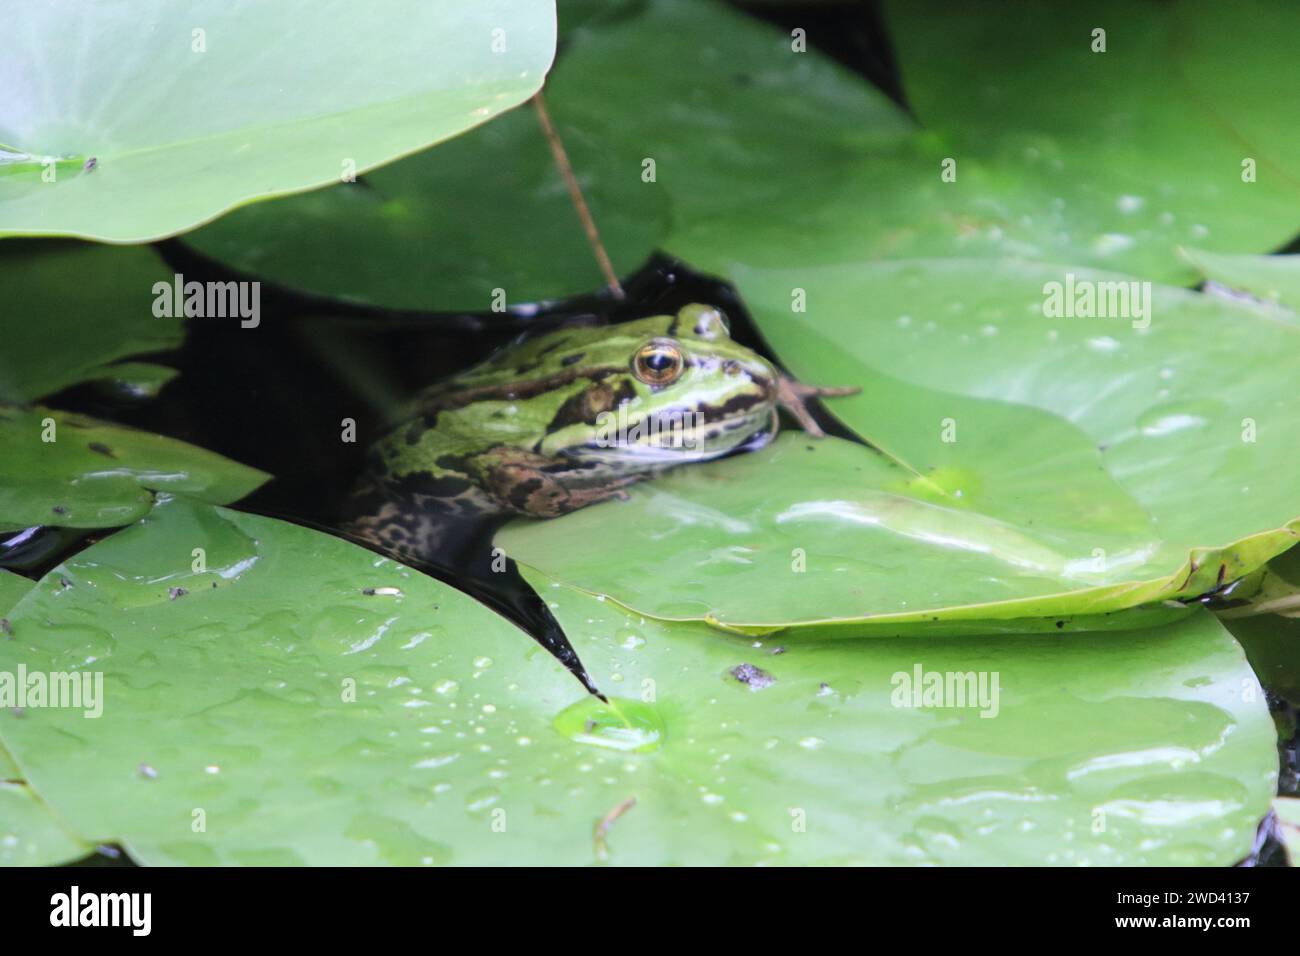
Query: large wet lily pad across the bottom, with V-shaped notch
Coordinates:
[465,741]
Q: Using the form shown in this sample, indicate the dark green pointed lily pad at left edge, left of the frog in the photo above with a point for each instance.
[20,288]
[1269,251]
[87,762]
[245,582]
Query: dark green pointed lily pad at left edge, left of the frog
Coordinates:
[80,473]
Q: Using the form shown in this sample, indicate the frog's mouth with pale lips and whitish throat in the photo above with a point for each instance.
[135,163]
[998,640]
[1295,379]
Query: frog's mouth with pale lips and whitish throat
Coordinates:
[677,438]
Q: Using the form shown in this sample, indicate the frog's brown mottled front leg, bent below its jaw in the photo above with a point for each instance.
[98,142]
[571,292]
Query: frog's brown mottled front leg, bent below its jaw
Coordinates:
[540,487]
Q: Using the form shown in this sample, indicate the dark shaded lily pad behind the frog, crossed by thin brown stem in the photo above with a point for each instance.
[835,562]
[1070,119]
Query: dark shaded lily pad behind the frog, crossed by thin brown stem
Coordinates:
[449,228]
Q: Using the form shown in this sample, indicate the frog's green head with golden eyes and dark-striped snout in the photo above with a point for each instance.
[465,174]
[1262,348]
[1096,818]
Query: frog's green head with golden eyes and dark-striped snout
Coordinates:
[678,391]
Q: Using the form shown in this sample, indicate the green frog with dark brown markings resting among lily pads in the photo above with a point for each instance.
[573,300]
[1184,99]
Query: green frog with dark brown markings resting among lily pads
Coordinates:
[567,419]
